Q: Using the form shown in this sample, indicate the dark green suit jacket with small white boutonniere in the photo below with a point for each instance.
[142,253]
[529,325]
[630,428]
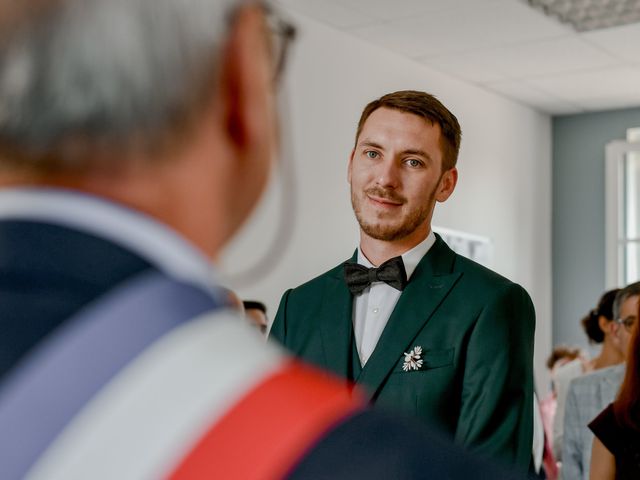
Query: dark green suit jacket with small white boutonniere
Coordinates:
[476,331]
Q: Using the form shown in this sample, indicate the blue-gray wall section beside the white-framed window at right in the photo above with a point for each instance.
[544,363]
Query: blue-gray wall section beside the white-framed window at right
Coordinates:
[578,215]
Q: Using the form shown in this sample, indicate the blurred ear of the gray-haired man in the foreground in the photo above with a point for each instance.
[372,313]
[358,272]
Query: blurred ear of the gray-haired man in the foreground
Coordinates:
[245,81]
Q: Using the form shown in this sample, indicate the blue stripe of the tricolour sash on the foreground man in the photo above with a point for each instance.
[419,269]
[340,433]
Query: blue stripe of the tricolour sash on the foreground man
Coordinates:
[44,393]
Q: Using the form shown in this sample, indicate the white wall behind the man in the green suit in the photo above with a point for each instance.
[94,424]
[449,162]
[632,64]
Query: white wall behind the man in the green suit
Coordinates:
[504,191]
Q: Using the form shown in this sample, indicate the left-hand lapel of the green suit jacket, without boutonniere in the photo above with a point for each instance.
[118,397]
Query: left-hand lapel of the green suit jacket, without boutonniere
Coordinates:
[336,322]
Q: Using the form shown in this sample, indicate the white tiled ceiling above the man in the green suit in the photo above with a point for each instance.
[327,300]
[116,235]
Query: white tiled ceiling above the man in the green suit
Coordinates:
[503,46]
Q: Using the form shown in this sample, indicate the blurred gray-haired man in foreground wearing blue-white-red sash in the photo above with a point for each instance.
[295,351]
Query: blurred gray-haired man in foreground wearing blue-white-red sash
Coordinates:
[135,137]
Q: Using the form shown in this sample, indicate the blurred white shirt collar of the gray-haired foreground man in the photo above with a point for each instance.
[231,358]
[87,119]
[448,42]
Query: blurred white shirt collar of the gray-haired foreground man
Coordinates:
[141,234]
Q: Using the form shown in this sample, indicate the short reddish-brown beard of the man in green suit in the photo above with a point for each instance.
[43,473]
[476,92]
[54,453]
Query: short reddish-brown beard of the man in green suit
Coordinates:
[387,231]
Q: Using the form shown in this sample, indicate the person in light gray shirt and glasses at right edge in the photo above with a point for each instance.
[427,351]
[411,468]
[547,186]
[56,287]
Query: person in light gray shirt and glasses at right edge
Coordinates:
[589,394]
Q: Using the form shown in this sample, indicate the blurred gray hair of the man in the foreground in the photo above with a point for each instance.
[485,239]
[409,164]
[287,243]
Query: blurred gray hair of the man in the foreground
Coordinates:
[104,71]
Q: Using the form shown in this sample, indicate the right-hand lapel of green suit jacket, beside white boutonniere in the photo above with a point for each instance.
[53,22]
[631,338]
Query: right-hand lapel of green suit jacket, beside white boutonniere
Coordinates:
[429,285]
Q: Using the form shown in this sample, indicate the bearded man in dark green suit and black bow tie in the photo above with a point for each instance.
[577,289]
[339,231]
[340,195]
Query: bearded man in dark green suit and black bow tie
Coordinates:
[427,332]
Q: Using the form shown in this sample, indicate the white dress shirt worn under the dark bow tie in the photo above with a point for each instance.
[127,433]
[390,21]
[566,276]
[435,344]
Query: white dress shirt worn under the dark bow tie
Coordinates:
[373,307]
